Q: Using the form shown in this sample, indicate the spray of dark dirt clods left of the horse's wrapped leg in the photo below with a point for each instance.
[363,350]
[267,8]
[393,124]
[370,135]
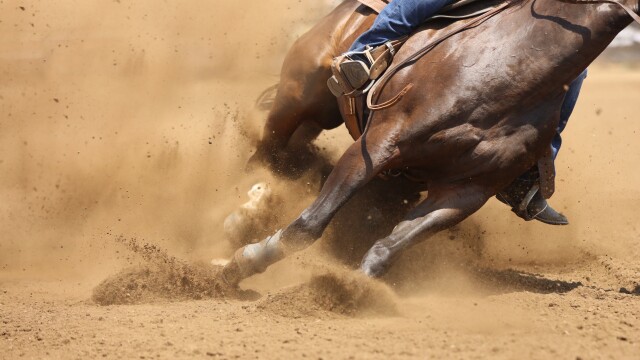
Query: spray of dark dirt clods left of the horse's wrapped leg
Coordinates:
[162,278]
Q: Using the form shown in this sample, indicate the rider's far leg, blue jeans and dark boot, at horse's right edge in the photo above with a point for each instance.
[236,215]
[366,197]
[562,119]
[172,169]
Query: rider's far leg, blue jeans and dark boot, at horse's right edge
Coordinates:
[538,207]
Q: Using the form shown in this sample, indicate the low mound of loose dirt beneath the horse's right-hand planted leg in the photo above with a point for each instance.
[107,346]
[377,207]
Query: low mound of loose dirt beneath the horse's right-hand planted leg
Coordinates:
[331,294]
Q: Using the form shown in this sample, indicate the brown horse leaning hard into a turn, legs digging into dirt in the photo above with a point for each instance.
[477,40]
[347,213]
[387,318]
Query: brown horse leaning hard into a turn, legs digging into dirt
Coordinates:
[484,107]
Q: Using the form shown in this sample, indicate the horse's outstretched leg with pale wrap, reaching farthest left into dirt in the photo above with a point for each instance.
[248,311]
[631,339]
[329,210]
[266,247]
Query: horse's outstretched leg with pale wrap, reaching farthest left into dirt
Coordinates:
[359,164]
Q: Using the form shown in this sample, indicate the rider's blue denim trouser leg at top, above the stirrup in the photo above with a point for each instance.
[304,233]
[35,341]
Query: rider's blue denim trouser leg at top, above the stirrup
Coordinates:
[398,19]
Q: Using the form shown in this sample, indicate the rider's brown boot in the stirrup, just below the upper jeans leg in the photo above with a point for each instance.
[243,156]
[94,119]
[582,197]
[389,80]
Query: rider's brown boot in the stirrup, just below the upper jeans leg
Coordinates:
[357,70]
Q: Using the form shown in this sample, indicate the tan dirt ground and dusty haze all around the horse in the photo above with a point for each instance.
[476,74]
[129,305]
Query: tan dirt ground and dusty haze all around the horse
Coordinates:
[128,123]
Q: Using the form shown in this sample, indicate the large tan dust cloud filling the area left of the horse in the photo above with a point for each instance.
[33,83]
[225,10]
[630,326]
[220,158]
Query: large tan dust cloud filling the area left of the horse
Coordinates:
[130,117]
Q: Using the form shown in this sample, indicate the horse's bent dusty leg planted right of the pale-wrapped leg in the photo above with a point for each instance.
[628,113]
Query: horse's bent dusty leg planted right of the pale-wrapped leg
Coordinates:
[443,208]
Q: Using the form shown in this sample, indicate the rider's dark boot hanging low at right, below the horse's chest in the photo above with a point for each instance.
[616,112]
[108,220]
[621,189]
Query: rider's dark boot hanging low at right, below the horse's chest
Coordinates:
[526,201]
